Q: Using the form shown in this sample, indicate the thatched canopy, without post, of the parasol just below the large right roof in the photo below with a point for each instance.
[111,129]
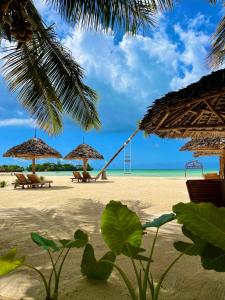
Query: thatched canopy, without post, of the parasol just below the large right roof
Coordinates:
[205,144]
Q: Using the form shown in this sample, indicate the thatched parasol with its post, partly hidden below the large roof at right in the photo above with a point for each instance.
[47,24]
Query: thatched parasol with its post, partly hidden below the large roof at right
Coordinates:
[208,147]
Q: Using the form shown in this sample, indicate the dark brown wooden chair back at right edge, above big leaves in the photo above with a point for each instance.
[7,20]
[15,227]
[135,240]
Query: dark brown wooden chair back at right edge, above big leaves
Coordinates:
[207,190]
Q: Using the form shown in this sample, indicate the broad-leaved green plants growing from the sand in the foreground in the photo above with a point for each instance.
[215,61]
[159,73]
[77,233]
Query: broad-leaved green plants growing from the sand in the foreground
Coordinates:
[122,232]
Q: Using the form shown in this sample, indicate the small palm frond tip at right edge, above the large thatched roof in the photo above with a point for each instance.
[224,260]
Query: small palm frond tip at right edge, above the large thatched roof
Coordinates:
[217,53]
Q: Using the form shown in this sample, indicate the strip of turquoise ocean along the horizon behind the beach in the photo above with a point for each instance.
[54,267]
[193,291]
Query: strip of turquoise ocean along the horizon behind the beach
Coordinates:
[141,172]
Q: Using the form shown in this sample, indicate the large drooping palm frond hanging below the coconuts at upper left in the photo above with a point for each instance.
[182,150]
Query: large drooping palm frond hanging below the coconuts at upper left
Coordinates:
[48,81]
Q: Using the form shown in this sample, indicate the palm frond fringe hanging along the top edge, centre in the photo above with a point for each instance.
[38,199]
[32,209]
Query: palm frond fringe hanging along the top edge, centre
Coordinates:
[112,14]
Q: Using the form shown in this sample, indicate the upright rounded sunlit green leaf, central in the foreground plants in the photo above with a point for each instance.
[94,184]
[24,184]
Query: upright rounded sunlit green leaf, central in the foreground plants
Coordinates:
[120,225]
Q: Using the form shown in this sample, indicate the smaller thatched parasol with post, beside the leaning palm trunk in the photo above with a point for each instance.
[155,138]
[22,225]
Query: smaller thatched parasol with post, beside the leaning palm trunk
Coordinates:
[84,152]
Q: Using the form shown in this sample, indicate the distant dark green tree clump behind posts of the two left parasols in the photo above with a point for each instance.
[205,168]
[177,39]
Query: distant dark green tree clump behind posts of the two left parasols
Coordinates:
[48,167]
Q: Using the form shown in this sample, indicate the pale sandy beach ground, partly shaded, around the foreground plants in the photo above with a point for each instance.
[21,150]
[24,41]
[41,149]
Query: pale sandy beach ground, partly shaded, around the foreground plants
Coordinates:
[57,212]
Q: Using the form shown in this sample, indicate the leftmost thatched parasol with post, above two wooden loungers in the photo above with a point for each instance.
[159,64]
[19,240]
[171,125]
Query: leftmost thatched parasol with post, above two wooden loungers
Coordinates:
[32,149]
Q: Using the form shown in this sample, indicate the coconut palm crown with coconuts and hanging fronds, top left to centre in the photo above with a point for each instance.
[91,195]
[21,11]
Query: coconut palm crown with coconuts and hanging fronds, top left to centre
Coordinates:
[43,74]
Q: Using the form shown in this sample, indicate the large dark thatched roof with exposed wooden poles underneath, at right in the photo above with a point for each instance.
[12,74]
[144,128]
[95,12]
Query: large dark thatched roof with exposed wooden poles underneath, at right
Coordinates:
[195,111]
